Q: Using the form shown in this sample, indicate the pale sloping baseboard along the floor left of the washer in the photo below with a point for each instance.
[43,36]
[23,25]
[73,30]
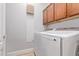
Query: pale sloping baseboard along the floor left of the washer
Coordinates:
[20,52]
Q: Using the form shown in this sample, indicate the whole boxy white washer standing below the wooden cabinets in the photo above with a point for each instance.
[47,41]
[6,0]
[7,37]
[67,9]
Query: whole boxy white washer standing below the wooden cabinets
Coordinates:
[56,43]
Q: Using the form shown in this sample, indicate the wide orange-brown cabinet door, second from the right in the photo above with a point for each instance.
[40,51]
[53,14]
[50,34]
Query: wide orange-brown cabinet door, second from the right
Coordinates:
[60,11]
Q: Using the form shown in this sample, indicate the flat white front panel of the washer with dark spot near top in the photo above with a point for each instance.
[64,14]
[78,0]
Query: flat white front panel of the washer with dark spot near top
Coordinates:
[51,45]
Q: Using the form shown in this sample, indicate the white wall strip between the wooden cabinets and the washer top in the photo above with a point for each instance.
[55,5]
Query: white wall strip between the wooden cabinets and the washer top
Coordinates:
[66,24]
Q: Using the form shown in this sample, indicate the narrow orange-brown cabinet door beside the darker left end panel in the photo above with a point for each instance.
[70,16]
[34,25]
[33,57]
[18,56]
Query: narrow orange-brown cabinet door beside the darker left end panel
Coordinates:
[50,10]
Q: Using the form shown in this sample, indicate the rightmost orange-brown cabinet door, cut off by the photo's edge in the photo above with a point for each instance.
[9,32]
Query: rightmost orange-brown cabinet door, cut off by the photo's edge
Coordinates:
[72,9]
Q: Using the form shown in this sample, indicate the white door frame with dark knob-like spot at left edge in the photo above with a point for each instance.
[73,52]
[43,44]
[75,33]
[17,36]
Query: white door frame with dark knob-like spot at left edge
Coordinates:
[3,27]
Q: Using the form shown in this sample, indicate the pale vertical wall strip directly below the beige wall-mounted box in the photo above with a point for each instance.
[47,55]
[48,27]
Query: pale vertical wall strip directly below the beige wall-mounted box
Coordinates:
[29,27]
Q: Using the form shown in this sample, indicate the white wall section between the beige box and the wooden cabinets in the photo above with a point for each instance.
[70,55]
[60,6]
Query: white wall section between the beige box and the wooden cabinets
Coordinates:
[39,17]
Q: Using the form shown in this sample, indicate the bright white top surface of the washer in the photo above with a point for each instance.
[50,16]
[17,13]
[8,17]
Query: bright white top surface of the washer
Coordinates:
[61,33]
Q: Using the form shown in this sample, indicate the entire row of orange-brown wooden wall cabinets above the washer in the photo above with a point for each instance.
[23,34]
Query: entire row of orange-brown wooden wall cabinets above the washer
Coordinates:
[58,11]
